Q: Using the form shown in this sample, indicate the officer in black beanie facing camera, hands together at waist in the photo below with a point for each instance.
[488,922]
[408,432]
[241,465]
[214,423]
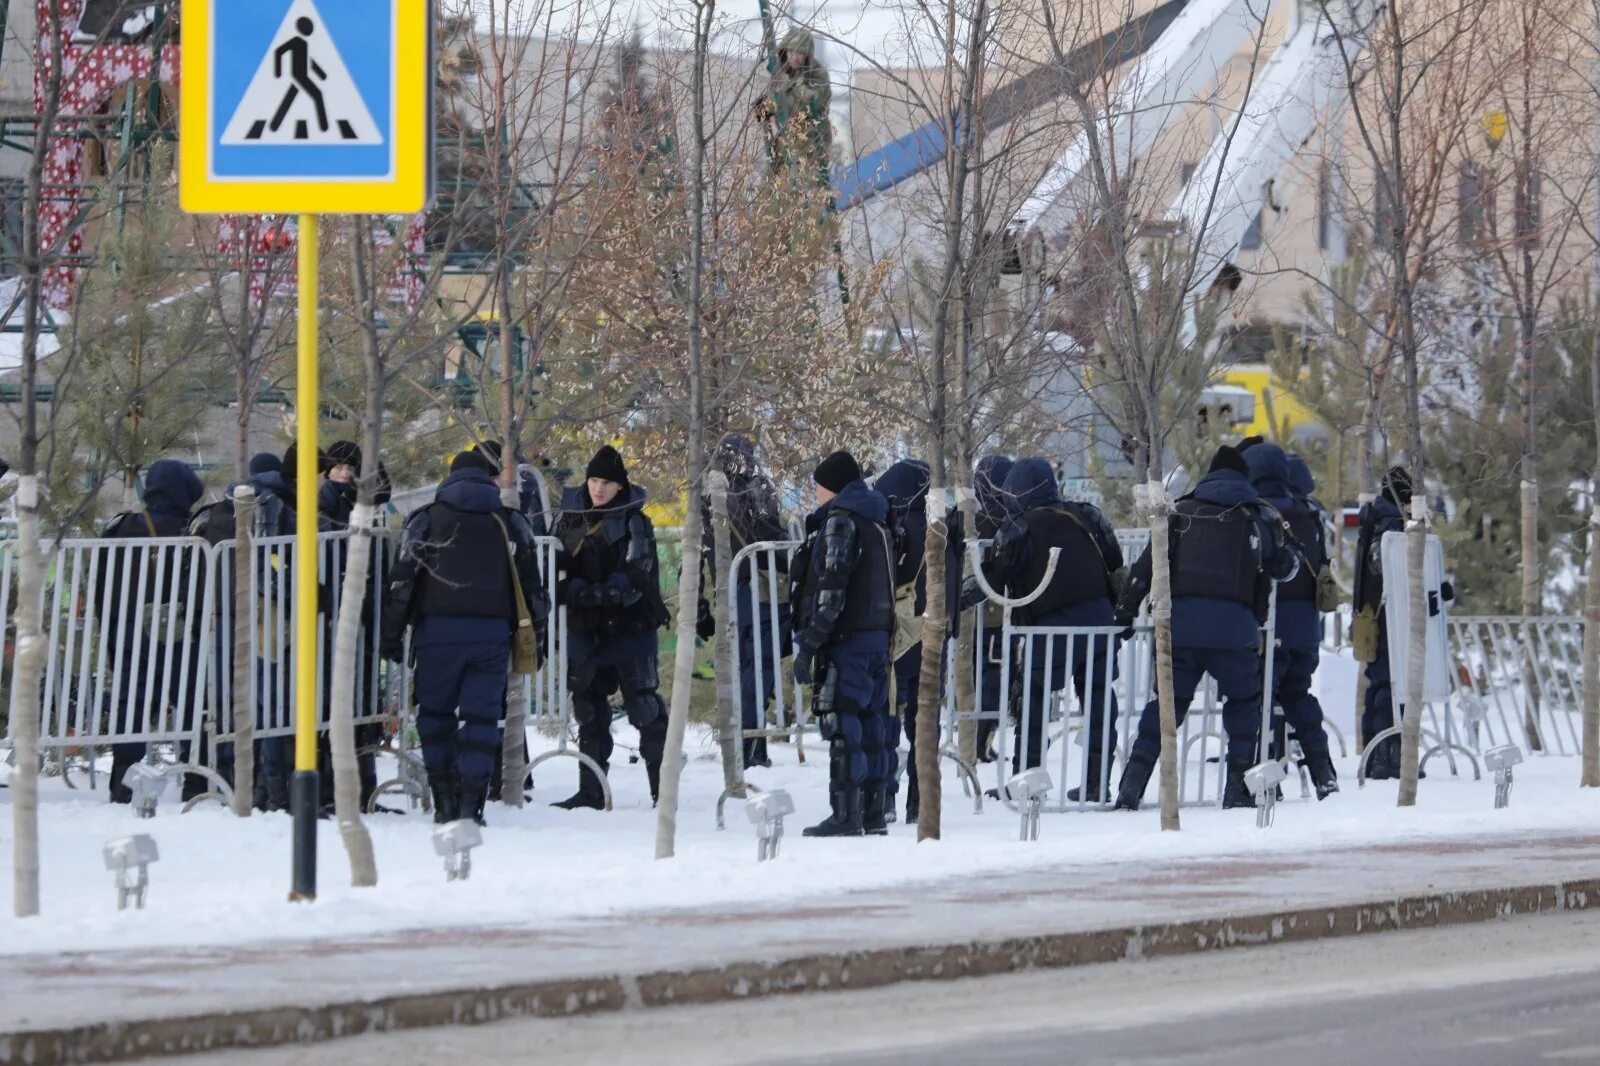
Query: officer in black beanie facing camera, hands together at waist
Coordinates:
[614,611]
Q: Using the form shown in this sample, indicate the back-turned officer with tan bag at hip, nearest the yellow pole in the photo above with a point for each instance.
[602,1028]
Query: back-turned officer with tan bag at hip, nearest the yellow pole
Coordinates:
[454,587]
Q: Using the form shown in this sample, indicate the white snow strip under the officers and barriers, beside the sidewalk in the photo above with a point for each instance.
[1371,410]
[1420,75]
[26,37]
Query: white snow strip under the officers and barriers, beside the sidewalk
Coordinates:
[226,881]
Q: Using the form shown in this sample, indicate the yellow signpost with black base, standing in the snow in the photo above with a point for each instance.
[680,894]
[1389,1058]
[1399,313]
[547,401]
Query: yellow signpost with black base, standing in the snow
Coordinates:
[308,403]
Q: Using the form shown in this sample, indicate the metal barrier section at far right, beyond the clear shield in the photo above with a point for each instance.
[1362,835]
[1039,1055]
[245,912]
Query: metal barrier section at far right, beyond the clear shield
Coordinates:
[1519,681]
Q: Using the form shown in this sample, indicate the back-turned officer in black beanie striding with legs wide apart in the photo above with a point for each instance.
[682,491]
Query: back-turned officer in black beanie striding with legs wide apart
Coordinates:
[1226,550]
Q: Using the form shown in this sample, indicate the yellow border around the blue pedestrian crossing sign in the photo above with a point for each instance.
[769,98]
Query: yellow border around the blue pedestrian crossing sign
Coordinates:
[406,193]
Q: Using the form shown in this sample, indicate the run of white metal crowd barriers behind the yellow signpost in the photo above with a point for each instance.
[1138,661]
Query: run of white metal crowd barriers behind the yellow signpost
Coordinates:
[140,644]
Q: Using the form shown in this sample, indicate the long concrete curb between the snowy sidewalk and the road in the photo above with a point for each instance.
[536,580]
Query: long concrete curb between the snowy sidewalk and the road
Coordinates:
[122,1041]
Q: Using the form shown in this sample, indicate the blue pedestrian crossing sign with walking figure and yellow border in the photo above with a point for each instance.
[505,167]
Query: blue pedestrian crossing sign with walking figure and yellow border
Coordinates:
[306,106]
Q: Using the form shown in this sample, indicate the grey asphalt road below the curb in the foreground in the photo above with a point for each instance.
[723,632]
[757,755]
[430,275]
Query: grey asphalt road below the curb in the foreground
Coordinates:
[1498,995]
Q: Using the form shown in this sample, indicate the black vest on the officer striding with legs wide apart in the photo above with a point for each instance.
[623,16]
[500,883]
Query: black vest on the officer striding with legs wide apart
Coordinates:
[1217,553]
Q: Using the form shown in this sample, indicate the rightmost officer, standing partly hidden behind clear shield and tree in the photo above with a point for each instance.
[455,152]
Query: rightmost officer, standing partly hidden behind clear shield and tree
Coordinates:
[1382,516]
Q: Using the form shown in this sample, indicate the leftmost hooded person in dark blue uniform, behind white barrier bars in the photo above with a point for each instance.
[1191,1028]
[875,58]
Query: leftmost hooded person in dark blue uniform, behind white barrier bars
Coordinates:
[170,492]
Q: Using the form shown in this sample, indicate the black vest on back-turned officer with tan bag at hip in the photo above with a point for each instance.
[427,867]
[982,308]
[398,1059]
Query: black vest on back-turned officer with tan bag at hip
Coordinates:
[468,572]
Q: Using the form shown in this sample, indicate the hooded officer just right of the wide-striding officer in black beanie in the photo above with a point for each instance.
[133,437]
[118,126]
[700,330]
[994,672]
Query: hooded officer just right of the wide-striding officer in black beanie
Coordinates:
[1287,486]
